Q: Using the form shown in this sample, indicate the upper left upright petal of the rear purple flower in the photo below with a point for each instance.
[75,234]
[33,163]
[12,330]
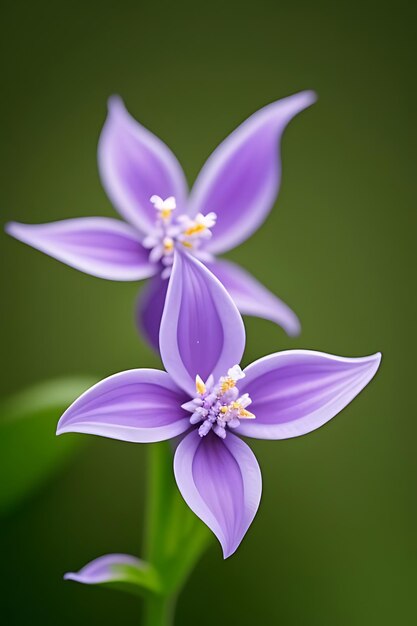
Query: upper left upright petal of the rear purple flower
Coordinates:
[135,165]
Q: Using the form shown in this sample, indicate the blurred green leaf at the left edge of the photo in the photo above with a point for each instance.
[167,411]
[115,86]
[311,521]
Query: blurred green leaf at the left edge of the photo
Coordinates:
[30,452]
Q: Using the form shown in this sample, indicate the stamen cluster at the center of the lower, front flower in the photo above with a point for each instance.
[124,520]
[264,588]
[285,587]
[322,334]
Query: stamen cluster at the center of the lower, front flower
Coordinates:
[219,406]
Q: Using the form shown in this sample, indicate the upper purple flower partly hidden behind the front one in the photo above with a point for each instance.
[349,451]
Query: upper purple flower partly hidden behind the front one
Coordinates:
[230,199]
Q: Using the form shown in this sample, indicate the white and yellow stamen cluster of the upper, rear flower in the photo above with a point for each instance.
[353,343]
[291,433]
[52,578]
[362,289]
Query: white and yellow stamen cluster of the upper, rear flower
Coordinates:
[175,230]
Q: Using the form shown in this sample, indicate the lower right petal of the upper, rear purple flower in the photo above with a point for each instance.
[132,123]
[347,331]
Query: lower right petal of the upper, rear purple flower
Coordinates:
[252,298]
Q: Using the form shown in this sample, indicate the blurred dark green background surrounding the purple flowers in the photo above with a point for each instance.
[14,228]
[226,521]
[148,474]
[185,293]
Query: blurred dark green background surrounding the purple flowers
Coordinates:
[334,541]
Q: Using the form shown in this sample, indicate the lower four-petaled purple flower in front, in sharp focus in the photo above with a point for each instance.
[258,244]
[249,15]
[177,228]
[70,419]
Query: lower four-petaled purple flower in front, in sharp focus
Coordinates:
[207,399]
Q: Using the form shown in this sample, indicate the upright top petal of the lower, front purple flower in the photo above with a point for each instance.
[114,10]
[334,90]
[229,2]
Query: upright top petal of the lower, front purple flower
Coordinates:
[201,329]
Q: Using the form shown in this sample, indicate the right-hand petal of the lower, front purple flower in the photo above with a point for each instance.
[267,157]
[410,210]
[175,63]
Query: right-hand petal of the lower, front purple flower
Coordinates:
[297,391]
